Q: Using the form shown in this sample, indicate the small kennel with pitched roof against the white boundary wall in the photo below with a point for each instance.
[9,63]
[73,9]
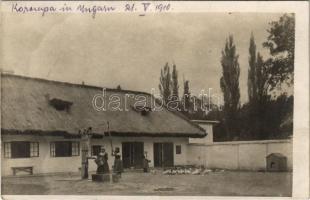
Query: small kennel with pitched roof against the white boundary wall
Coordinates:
[276,162]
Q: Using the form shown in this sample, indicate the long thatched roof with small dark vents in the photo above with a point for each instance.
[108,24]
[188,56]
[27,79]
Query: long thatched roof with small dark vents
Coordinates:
[28,106]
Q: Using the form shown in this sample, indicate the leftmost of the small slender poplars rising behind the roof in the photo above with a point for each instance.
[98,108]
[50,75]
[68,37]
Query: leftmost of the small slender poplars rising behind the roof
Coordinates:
[165,83]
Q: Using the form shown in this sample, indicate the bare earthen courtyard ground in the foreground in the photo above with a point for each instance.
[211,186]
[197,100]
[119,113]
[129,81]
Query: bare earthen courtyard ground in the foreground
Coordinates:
[223,183]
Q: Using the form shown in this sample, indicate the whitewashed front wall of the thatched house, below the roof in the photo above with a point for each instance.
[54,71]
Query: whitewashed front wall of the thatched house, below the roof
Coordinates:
[47,164]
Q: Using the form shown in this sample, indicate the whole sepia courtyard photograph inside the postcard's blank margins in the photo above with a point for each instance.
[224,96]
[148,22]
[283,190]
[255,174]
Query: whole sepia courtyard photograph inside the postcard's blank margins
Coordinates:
[186,104]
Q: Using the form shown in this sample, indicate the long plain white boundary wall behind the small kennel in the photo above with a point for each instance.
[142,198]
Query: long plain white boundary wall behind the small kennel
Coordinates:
[239,155]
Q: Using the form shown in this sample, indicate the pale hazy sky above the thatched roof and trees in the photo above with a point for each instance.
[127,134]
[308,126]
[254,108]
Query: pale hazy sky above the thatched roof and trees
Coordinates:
[130,50]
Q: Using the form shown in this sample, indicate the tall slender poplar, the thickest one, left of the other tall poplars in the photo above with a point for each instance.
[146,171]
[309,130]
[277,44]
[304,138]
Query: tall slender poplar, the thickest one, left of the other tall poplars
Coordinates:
[229,83]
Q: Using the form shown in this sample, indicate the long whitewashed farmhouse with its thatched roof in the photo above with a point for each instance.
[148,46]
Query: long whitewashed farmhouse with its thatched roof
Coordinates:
[44,124]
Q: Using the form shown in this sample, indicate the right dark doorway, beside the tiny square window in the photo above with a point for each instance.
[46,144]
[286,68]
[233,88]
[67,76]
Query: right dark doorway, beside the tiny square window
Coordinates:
[163,155]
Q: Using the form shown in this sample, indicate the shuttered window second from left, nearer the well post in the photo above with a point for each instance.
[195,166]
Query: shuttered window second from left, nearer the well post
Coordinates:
[65,149]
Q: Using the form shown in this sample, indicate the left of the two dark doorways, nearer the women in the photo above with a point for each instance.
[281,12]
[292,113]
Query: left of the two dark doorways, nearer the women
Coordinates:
[132,153]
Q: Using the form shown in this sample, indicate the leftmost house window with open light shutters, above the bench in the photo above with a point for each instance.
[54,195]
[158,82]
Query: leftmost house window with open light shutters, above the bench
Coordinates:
[21,149]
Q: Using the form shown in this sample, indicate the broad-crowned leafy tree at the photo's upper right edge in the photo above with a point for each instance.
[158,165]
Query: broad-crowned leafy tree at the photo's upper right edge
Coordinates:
[281,44]
